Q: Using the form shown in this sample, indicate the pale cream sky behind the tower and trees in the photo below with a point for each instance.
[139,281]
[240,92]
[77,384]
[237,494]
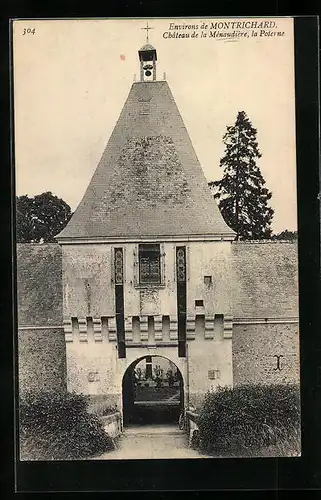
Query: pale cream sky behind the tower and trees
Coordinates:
[72,77]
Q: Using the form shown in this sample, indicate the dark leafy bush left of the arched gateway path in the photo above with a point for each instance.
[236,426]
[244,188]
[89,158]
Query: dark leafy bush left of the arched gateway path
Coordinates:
[58,427]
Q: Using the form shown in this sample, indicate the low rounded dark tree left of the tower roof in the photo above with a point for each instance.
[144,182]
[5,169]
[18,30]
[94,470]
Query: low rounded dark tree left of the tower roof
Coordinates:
[40,218]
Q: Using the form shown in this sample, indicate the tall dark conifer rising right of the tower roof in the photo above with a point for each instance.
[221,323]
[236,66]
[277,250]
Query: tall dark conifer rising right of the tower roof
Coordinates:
[243,197]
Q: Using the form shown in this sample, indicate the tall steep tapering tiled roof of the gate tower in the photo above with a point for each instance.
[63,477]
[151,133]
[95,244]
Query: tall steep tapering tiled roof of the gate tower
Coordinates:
[149,181]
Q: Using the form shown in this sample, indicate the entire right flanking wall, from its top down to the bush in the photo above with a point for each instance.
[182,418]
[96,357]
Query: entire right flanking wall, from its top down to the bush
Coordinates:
[266,313]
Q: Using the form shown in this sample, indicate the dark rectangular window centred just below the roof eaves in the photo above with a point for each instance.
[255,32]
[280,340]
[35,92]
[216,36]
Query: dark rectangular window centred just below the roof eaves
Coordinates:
[149,264]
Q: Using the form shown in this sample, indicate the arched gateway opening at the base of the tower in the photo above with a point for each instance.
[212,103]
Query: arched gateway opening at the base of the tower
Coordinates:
[153,392]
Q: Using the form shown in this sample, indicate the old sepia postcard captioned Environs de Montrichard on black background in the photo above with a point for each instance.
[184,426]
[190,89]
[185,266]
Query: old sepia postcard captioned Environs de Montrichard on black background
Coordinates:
[156,230]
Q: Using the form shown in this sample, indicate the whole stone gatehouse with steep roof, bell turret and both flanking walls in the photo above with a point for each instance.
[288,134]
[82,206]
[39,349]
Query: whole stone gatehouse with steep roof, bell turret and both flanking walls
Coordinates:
[147,266]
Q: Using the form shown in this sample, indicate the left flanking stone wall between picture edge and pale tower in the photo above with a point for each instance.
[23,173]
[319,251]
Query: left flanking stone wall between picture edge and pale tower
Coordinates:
[40,340]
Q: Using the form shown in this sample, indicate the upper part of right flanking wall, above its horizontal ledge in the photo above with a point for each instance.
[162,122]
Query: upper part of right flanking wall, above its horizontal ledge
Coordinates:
[265,279]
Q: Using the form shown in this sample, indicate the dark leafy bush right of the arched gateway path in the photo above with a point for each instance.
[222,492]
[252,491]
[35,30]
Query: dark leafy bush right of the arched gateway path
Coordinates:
[249,419]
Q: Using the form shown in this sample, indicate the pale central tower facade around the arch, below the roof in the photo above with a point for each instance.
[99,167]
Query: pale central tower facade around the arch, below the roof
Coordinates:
[92,361]
